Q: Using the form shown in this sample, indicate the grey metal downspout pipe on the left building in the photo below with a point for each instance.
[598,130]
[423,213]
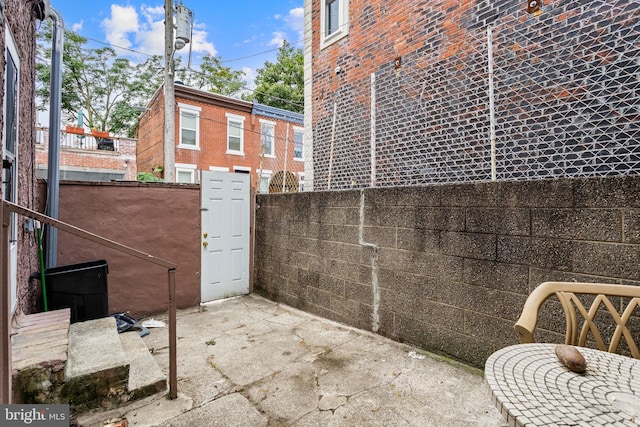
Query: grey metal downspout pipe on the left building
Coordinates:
[55,106]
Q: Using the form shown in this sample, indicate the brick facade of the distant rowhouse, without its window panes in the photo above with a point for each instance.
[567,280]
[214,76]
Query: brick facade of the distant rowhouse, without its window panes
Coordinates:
[212,153]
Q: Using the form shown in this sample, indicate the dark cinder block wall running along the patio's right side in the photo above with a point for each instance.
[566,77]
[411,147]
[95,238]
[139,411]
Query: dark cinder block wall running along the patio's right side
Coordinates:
[447,267]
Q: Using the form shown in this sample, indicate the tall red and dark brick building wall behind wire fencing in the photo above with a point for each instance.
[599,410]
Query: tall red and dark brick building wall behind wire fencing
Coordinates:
[564,91]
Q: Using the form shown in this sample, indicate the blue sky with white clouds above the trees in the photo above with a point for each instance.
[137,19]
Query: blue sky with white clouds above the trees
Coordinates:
[248,29]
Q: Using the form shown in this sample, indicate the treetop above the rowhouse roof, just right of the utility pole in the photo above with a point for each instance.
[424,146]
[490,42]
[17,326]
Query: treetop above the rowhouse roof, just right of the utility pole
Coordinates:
[213,76]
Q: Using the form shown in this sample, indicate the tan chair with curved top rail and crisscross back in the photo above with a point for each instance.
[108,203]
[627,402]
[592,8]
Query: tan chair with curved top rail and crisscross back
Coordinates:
[568,294]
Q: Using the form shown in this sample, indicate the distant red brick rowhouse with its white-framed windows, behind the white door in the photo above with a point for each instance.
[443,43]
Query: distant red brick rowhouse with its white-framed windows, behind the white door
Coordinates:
[215,132]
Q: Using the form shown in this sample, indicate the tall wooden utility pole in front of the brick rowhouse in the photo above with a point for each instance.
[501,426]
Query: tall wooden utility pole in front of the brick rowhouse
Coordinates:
[169,96]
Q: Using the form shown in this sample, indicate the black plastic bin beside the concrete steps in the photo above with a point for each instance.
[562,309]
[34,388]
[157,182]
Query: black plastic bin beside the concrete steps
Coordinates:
[80,287]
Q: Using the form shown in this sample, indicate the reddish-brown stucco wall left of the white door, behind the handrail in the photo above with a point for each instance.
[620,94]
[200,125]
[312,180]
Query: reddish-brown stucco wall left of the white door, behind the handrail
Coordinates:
[160,219]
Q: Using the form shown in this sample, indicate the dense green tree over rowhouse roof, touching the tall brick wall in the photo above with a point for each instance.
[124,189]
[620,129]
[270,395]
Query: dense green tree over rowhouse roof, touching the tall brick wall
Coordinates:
[281,84]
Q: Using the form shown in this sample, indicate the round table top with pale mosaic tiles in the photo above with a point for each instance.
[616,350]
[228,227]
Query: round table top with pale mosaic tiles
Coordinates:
[531,387]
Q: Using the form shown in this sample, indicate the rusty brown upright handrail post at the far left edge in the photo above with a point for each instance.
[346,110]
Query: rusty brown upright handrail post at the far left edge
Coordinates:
[5,310]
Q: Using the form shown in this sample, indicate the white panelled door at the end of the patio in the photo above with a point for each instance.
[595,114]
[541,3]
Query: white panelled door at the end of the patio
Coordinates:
[225,234]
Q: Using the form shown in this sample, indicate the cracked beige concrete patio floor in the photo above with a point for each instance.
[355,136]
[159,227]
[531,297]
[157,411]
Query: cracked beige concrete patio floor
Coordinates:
[247,361]
